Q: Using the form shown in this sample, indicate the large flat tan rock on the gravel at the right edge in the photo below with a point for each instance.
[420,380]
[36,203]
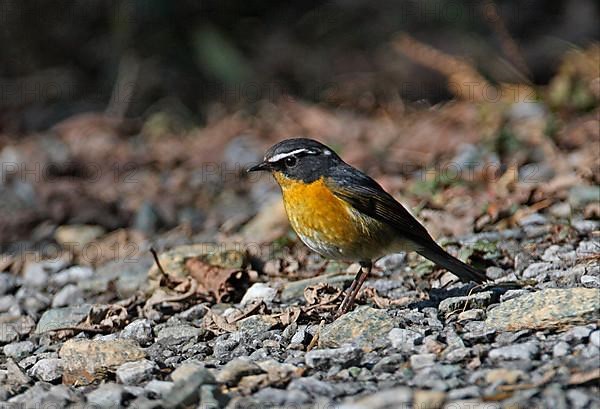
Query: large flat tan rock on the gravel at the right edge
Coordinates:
[547,309]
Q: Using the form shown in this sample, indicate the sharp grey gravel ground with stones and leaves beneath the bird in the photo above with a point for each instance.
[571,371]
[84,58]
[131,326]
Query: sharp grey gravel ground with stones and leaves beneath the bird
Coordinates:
[426,342]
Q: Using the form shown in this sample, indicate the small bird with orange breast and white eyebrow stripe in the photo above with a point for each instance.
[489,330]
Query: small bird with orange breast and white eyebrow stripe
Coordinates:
[341,213]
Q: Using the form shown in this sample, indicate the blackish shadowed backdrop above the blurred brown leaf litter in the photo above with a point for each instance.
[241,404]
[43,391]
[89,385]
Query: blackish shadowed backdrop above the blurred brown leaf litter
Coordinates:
[61,58]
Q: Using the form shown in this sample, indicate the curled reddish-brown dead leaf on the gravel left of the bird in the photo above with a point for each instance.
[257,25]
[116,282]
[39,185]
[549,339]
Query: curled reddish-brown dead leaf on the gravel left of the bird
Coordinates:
[224,284]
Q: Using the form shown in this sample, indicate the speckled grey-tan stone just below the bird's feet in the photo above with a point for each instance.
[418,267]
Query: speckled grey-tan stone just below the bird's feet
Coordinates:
[364,327]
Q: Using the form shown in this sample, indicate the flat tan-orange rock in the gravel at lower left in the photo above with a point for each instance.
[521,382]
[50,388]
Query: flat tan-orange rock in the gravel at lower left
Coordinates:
[87,360]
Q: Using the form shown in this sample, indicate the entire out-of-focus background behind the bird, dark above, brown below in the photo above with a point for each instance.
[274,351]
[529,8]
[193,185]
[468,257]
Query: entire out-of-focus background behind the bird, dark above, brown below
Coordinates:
[142,114]
